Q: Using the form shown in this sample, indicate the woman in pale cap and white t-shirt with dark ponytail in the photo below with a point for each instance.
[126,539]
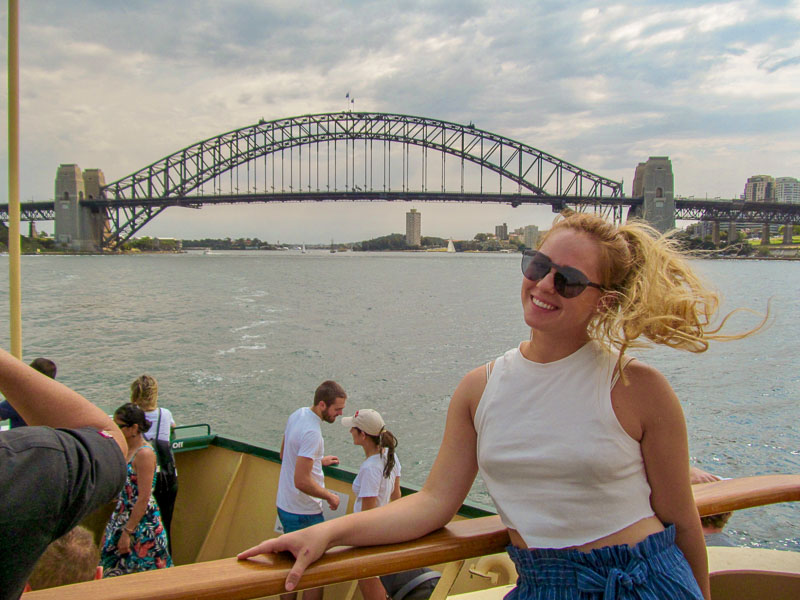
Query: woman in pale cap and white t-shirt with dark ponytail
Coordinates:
[378,479]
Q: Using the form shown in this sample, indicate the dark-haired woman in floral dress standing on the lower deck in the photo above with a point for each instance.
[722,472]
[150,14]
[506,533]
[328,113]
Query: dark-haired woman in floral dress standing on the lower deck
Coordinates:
[135,539]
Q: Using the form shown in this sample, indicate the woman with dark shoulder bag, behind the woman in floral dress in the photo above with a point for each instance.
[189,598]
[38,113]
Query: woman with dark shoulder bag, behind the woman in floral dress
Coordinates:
[144,394]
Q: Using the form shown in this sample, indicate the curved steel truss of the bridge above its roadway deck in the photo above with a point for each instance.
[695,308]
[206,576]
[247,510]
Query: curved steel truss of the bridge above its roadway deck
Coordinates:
[180,178]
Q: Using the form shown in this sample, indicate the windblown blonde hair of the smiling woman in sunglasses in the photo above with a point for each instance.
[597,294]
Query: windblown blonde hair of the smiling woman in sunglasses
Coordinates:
[651,291]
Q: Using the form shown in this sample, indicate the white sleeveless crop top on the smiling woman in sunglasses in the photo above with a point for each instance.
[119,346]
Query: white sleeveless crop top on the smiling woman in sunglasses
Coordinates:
[558,465]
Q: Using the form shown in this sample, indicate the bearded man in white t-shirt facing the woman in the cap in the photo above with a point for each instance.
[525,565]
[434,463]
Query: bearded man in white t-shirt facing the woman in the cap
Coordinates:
[301,488]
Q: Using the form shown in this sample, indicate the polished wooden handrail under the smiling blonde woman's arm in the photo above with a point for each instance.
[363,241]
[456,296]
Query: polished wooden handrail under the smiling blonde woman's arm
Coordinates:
[229,579]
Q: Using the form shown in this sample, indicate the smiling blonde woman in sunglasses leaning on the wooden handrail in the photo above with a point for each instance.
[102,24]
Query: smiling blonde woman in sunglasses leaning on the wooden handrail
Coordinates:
[583,451]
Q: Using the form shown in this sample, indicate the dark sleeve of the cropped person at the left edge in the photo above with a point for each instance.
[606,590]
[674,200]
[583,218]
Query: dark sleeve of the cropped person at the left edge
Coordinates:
[50,479]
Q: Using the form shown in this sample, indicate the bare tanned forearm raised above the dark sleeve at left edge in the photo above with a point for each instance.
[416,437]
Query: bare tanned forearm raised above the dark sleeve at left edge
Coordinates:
[40,400]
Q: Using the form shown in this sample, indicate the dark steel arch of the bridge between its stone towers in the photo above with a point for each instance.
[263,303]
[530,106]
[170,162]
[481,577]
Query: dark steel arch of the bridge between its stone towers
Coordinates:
[183,176]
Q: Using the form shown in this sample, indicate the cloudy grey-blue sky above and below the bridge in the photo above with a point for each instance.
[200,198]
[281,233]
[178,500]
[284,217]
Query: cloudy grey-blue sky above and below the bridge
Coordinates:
[117,85]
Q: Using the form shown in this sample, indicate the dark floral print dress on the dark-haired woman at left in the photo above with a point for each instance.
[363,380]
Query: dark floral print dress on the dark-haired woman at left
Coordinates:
[149,540]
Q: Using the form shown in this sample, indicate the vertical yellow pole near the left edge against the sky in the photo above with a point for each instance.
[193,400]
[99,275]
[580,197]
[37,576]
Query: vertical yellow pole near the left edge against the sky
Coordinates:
[14,279]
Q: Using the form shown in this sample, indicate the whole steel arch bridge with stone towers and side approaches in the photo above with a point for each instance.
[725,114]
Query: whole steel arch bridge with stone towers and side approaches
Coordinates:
[365,157]
